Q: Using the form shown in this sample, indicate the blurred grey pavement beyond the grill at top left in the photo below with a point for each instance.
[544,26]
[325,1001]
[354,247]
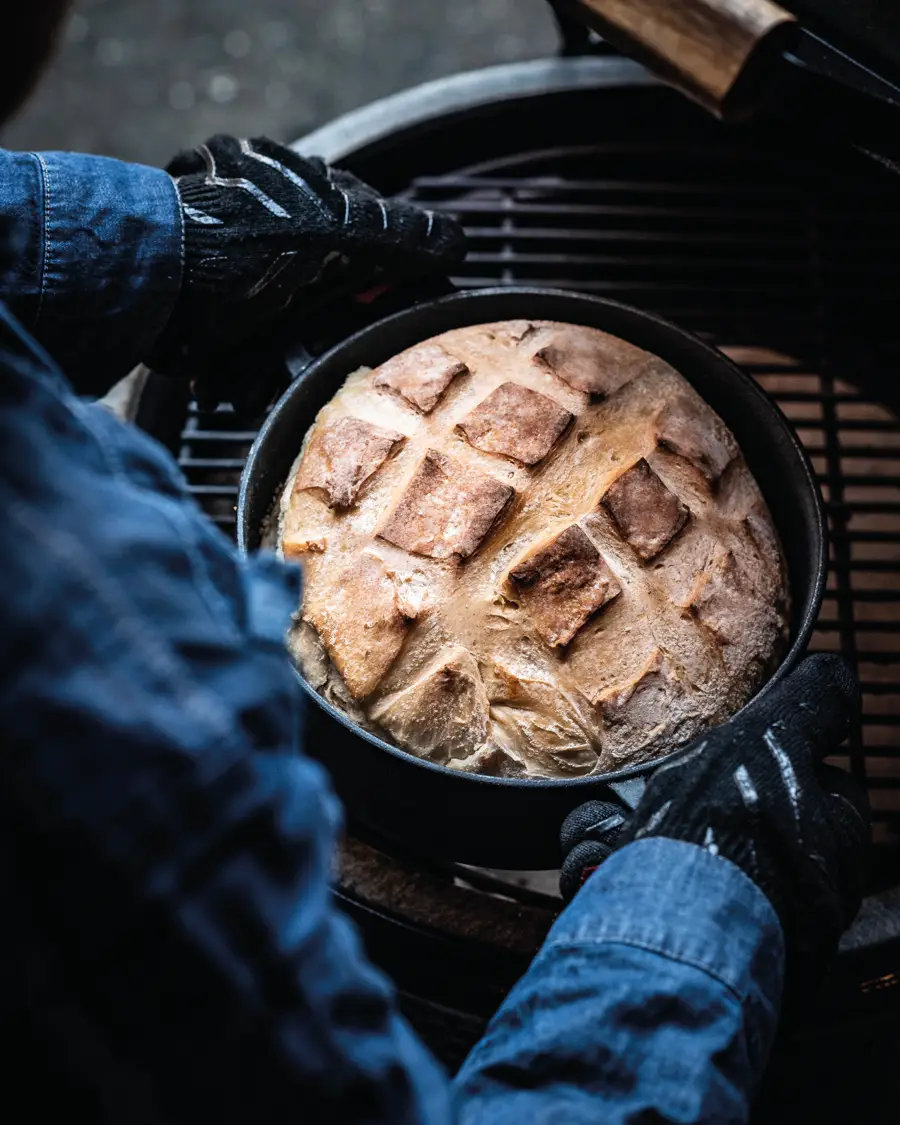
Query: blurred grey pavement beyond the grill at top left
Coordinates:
[139,79]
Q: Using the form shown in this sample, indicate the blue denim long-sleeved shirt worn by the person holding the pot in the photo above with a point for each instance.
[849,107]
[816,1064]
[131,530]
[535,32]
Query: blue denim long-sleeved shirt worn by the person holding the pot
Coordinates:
[169,939]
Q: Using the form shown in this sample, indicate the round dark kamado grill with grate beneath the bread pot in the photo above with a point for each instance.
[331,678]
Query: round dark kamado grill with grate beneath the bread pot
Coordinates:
[778,246]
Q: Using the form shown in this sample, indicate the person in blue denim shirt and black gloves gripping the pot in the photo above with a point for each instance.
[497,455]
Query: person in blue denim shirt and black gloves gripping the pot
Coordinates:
[170,950]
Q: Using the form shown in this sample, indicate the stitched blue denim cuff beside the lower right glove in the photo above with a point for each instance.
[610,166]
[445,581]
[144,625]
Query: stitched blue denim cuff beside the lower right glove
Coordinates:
[679,901]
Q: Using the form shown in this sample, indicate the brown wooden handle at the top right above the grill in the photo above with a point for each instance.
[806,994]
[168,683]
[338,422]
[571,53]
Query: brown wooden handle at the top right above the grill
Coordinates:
[717,51]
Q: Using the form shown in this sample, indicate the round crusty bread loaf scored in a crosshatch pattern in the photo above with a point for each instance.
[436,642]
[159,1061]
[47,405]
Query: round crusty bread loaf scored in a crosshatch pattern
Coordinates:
[532,550]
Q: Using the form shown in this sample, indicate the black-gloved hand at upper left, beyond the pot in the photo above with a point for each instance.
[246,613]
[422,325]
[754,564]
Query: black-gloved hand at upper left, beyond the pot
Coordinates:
[263,224]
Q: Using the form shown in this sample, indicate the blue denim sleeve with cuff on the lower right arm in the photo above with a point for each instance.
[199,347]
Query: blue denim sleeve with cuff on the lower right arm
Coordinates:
[655,998]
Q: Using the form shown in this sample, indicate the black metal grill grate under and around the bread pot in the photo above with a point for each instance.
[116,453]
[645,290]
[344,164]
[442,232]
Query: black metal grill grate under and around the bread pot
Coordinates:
[788,265]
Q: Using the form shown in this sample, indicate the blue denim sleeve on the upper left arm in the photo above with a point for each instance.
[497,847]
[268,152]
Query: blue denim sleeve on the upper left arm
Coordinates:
[96,259]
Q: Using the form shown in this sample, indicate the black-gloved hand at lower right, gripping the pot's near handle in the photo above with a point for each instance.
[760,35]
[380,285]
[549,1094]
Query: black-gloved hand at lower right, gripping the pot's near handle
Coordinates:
[755,791]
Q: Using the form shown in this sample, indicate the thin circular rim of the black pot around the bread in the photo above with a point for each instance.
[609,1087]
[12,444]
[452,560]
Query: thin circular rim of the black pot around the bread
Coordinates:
[818,559]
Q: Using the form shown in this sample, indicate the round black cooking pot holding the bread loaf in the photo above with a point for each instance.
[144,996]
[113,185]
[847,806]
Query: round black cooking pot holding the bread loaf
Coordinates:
[511,823]
